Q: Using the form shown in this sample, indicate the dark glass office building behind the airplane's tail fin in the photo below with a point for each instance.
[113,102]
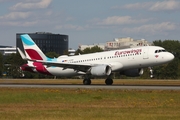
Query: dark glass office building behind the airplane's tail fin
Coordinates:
[47,42]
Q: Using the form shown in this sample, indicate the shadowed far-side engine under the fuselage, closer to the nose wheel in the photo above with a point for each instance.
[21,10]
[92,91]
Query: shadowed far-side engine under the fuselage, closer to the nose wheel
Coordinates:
[132,72]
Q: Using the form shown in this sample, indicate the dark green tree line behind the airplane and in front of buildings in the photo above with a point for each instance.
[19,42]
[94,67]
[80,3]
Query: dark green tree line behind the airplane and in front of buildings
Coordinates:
[10,65]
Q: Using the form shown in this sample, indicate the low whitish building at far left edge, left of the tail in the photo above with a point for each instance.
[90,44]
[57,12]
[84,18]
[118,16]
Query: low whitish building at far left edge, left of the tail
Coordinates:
[6,50]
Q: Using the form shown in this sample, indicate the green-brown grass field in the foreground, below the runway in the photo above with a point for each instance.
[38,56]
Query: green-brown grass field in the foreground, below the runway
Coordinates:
[89,104]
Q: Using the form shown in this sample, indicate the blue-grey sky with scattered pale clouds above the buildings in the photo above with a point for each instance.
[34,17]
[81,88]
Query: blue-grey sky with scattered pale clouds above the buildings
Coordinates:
[88,22]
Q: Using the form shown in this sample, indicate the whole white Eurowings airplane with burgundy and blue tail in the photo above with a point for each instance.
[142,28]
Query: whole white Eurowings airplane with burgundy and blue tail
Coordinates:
[129,62]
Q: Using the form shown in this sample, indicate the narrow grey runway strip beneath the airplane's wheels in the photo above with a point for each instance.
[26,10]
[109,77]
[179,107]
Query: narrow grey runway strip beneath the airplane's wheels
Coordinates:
[138,87]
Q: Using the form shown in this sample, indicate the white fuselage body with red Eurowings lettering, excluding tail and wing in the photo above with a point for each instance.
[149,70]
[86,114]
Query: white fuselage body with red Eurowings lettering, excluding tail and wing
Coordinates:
[118,60]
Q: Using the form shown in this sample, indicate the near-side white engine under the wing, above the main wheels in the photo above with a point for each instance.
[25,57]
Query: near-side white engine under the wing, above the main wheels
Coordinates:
[101,70]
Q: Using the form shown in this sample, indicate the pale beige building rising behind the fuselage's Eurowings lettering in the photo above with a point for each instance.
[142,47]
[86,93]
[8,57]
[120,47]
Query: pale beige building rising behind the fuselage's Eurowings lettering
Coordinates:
[119,43]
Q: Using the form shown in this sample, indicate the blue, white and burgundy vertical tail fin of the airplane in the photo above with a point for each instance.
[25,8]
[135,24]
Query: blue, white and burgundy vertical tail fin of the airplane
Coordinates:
[32,51]
